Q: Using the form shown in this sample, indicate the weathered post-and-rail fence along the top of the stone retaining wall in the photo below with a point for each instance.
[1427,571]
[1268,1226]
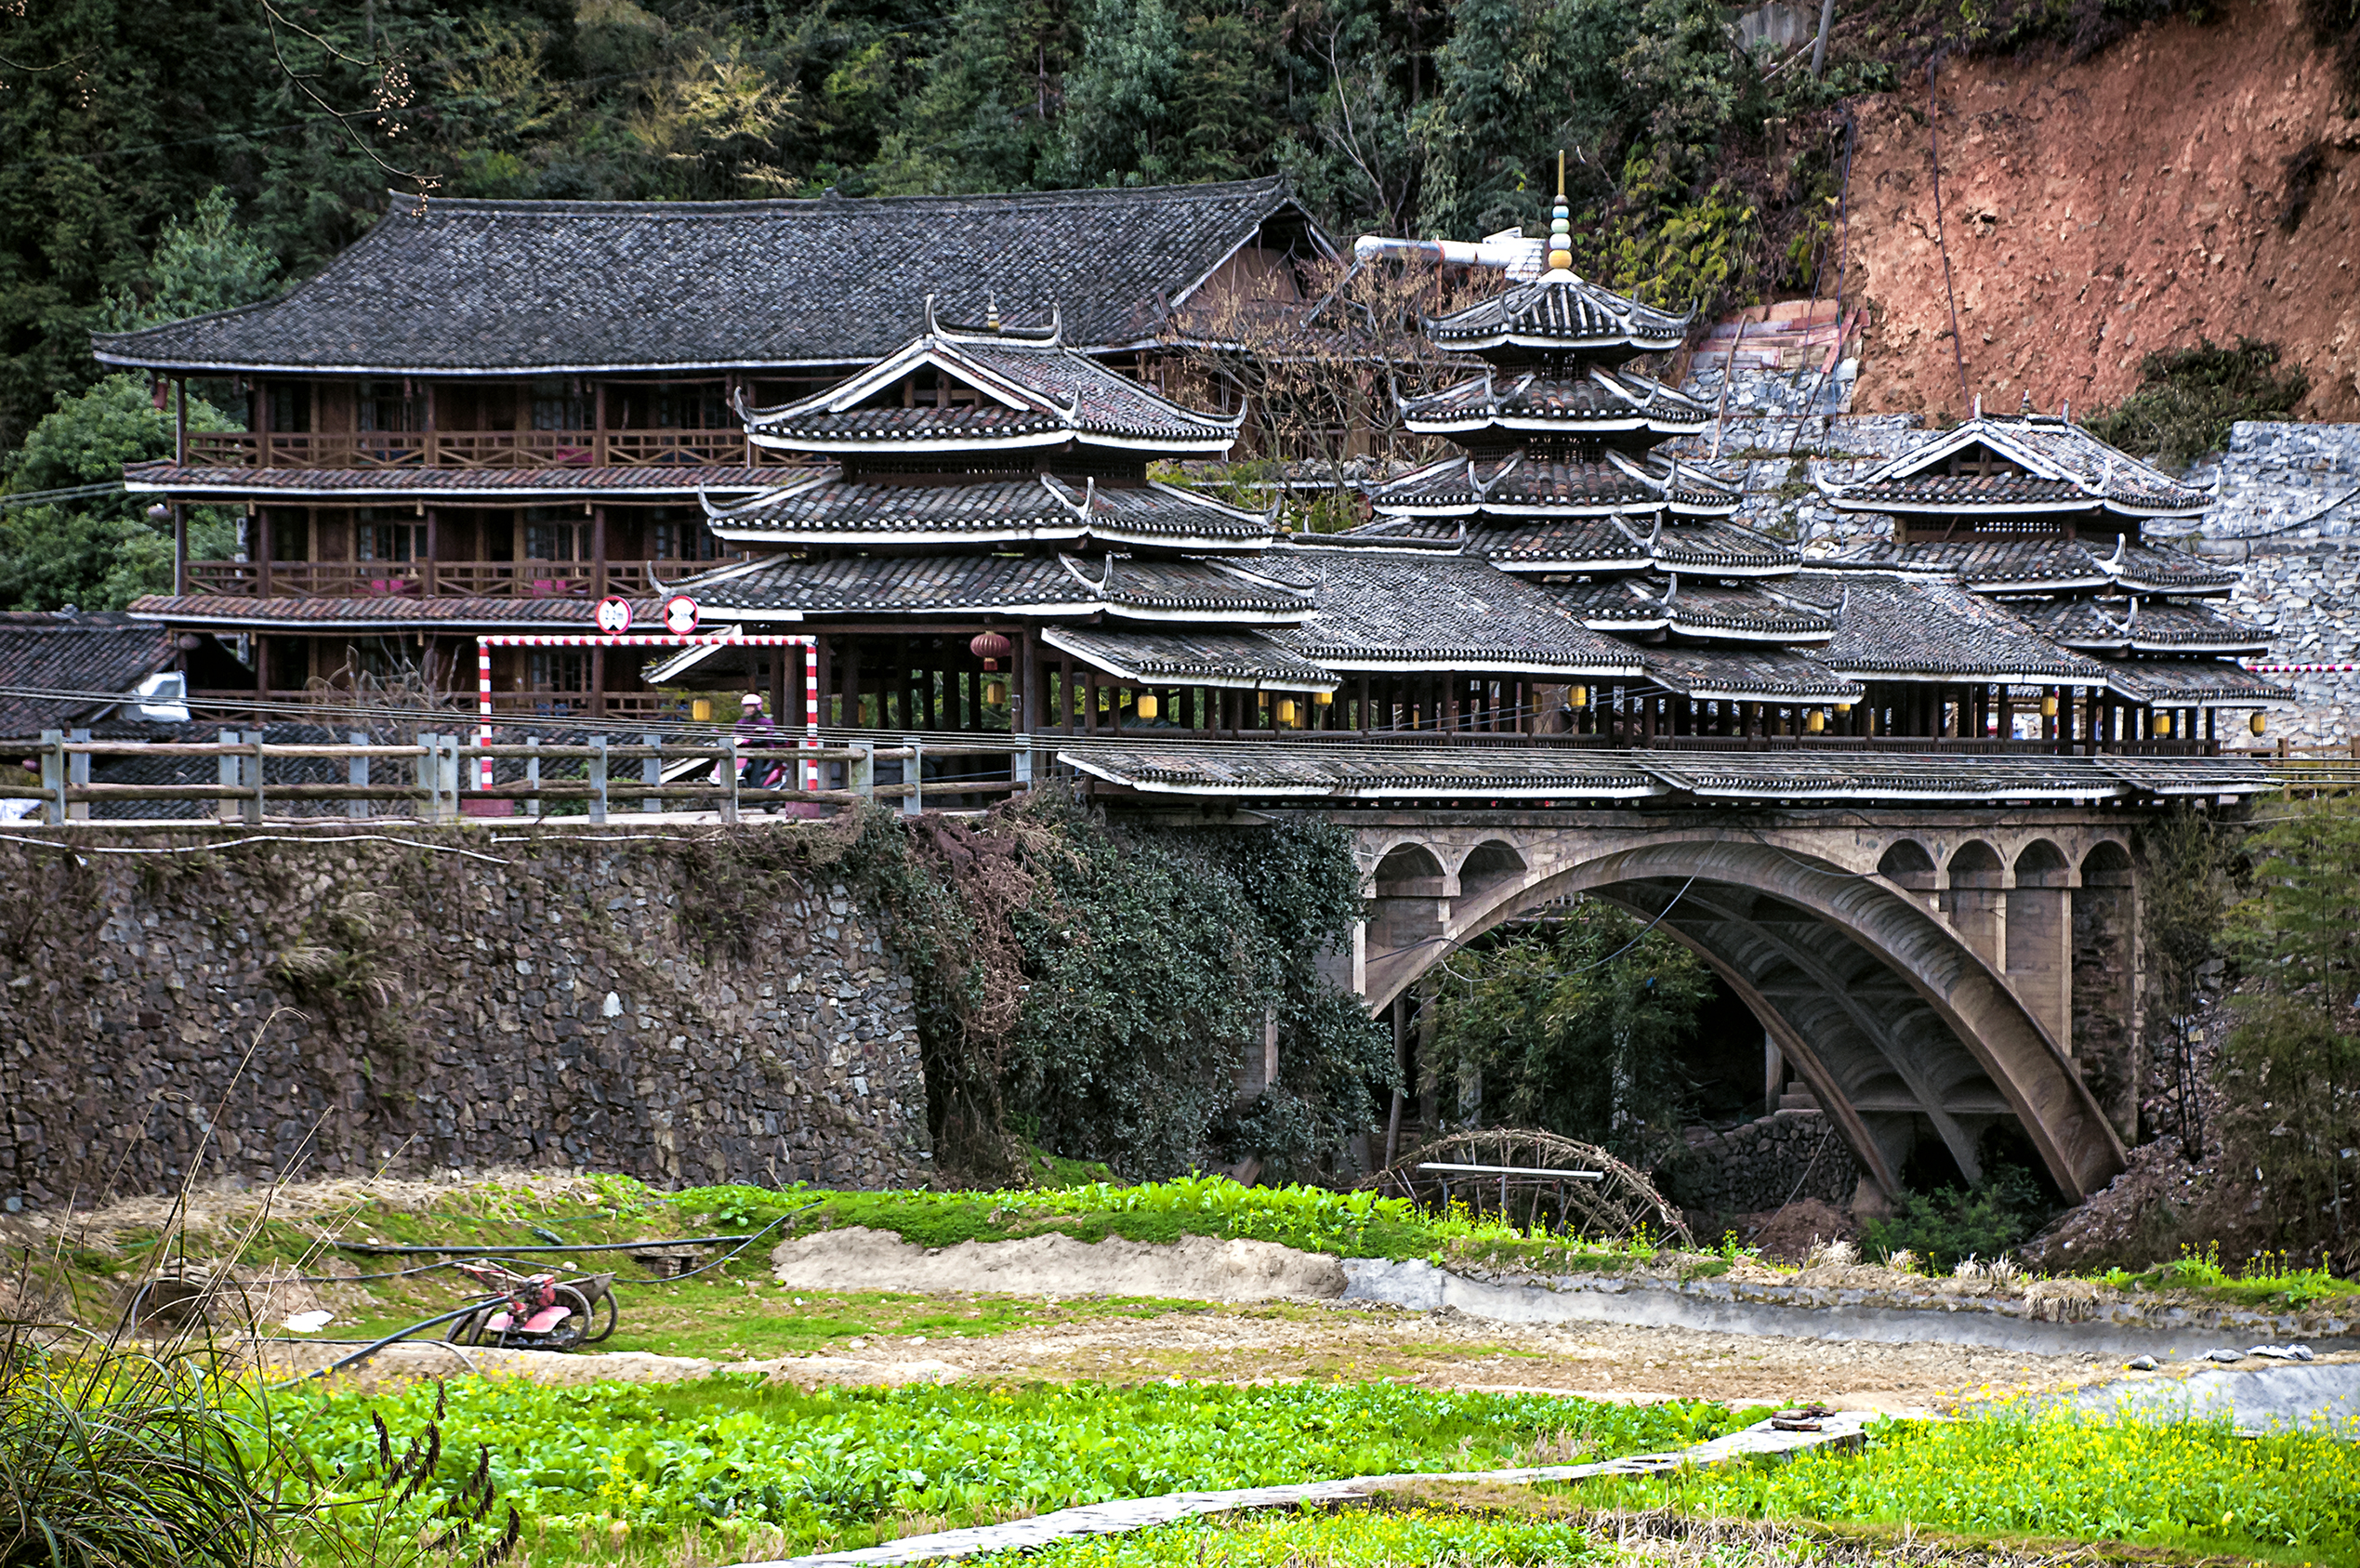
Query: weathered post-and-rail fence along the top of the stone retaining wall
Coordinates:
[442,778]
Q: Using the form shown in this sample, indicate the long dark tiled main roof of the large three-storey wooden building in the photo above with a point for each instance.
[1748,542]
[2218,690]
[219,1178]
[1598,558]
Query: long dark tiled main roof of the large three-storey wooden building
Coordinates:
[704,285]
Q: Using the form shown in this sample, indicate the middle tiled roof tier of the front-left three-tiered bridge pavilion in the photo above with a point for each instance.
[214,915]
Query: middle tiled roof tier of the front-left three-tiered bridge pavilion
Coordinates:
[1016,507]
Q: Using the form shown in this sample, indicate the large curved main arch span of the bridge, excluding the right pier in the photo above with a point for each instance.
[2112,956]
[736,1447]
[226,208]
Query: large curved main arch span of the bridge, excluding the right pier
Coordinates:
[1903,1019]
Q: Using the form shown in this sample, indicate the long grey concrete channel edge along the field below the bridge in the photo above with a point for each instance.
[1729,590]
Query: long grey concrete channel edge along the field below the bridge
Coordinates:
[1804,1312]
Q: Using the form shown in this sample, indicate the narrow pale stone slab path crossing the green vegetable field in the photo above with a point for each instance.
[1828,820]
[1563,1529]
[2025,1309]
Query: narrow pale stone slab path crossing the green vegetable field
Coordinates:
[1840,1430]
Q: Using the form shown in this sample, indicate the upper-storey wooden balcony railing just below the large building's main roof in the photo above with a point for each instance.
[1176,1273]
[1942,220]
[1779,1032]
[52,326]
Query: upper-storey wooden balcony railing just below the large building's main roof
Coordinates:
[478,450]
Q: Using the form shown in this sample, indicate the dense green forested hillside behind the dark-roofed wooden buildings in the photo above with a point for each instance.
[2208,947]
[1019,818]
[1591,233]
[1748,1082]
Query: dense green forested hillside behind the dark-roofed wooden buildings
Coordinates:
[1693,157]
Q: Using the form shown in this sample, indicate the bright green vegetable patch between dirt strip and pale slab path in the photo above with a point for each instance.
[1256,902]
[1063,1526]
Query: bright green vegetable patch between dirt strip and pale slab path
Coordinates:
[735,1458]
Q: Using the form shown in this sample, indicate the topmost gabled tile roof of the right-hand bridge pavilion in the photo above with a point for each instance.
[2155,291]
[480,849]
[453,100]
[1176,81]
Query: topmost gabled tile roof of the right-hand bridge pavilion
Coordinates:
[2064,466]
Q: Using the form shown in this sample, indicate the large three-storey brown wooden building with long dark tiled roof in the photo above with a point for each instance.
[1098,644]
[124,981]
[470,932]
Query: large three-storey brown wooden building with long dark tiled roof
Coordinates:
[490,414]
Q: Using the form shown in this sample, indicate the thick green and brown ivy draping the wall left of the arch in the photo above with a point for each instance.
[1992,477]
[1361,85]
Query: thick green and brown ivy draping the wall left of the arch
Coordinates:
[1099,988]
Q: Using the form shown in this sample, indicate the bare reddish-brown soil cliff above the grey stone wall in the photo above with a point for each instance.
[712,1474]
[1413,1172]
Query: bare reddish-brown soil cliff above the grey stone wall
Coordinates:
[2194,181]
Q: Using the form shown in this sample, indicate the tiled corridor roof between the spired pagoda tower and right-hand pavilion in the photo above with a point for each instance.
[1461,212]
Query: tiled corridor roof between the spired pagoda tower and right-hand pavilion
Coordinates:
[1929,629]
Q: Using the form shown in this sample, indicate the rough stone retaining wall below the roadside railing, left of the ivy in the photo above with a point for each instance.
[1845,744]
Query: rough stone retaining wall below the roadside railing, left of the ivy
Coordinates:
[565,1002]
